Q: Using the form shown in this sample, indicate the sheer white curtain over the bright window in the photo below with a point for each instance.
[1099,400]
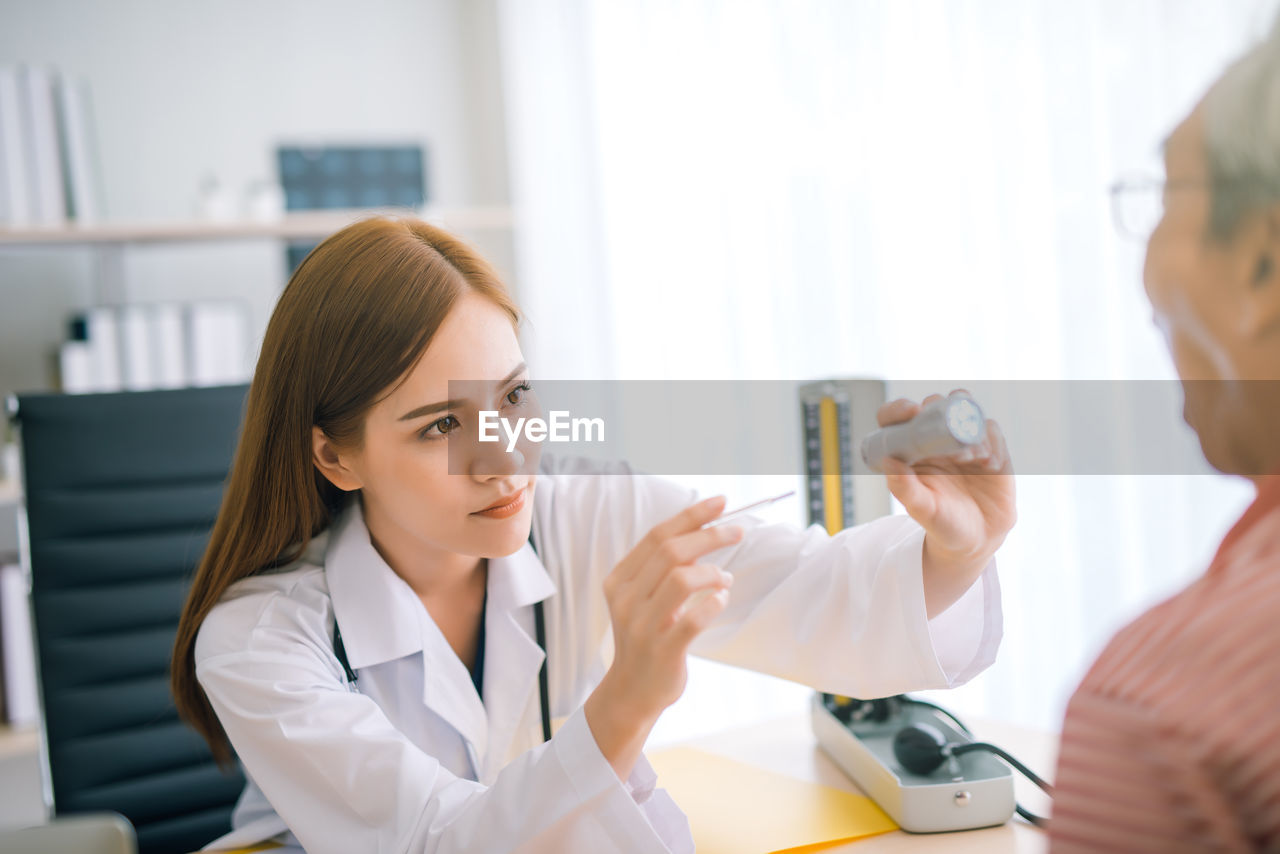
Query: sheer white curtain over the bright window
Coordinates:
[906,189]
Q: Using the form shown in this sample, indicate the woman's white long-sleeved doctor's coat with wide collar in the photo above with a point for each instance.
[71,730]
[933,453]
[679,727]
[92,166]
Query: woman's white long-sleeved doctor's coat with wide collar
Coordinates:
[412,760]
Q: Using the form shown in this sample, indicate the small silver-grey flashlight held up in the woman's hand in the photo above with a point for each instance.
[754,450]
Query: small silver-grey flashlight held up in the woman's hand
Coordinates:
[944,428]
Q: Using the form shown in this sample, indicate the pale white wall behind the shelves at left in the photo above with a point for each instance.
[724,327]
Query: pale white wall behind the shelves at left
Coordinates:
[184,90]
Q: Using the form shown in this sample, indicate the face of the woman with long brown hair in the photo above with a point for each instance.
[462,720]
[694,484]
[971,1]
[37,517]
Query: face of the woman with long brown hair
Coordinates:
[412,500]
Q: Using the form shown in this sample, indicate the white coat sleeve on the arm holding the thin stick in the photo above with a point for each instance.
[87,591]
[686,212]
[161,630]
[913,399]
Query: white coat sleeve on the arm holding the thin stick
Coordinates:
[344,779]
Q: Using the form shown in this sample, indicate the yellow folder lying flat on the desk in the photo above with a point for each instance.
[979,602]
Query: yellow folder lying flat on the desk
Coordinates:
[737,809]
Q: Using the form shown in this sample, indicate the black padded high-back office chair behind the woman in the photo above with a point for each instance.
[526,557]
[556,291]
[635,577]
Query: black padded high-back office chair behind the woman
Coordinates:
[121,494]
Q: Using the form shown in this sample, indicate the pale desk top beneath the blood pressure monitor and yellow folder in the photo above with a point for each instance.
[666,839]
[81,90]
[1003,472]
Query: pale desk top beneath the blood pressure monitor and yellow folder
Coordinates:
[788,747]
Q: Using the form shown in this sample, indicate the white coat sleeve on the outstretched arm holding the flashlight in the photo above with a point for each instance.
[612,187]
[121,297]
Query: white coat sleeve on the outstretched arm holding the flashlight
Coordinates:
[840,614]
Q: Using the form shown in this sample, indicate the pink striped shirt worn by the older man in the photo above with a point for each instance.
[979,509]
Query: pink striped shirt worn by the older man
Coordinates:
[1173,741]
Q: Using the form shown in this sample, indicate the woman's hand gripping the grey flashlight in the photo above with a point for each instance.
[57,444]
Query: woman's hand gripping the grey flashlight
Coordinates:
[964,504]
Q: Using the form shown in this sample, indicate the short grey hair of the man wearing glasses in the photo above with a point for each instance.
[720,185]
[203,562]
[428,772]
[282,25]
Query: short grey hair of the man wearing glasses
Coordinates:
[1242,136]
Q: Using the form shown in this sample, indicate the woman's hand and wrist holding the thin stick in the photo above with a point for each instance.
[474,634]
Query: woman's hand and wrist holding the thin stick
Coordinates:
[655,622]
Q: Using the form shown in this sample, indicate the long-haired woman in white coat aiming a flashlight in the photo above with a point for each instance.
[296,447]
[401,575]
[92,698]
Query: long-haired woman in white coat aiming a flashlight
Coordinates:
[363,629]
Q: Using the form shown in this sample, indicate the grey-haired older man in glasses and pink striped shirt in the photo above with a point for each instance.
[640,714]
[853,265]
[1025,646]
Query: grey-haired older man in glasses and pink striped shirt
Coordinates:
[1173,741]
